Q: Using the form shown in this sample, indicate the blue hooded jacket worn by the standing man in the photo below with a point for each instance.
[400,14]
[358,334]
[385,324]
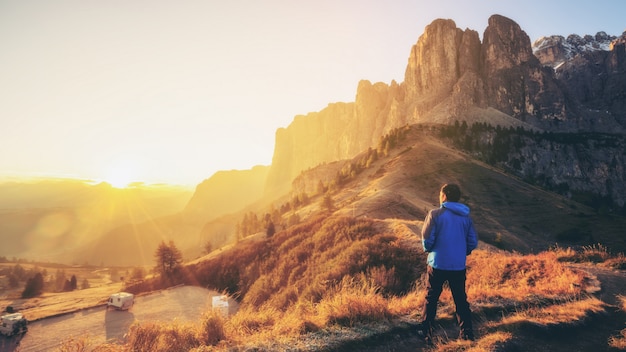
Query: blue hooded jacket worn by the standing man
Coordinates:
[449,236]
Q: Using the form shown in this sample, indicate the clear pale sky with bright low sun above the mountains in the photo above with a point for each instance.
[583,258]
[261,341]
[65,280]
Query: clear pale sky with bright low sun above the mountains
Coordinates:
[173,91]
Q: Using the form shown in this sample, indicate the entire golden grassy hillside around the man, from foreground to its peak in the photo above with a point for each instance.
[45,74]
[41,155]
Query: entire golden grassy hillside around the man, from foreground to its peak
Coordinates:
[347,275]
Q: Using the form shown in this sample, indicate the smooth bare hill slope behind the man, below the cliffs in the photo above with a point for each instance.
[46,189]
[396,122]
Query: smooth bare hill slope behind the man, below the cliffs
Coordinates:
[508,212]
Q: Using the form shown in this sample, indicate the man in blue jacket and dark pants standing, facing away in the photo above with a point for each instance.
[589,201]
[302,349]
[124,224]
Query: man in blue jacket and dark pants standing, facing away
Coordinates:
[448,235]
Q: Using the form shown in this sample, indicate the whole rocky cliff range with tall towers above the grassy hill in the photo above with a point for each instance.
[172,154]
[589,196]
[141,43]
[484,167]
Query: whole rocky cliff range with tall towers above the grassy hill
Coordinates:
[452,76]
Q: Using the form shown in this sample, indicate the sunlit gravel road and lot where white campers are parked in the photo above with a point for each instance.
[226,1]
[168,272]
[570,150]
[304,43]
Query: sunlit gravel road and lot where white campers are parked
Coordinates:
[185,303]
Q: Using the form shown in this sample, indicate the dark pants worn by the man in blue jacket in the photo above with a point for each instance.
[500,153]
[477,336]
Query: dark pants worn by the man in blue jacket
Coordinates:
[434,286]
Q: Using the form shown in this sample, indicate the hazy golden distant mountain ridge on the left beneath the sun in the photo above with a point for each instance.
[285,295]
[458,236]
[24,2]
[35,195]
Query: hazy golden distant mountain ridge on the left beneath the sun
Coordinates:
[55,219]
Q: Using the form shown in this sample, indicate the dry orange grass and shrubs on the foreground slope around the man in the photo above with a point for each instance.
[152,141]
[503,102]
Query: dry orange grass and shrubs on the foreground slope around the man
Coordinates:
[343,273]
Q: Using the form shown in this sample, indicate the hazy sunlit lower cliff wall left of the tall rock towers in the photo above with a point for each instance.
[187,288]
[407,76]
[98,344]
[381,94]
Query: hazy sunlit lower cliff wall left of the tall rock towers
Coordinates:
[339,131]
